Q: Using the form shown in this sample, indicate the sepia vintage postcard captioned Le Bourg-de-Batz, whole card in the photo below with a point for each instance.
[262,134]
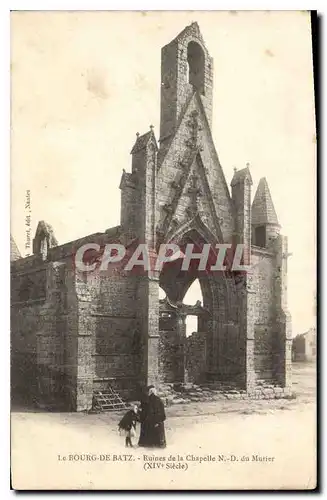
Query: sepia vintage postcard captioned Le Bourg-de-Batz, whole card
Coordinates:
[163,215]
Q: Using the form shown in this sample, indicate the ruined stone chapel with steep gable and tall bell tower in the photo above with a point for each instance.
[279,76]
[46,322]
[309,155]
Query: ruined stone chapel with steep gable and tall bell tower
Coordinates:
[73,335]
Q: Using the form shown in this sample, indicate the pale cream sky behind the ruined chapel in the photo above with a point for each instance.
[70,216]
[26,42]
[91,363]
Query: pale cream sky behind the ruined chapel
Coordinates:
[83,84]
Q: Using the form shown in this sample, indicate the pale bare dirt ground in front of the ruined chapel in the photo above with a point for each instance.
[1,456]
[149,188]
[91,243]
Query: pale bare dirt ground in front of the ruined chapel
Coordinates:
[229,444]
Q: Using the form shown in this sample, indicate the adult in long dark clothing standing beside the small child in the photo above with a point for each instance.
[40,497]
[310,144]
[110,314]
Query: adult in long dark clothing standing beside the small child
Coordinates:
[155,417]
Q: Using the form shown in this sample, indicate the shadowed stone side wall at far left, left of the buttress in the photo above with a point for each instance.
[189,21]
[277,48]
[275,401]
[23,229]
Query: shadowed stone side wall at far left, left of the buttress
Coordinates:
[39,304]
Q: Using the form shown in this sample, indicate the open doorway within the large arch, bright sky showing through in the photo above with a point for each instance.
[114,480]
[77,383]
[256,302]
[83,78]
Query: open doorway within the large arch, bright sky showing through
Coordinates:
[183,326]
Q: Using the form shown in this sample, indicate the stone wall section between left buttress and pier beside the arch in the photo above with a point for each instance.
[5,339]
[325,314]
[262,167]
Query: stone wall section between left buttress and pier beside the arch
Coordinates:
[117,341]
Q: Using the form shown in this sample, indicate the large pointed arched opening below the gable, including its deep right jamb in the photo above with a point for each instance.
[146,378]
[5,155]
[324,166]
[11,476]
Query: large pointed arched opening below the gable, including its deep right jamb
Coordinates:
[206,348]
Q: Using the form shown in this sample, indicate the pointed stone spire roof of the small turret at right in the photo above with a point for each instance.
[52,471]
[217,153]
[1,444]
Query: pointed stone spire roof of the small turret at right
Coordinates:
[263,210]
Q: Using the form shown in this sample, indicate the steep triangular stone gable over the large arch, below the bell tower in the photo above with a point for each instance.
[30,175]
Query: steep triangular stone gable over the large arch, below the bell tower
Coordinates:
[192,152]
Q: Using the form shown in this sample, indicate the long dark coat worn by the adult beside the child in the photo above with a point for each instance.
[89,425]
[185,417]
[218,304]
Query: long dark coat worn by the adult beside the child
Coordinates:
[152,419]
